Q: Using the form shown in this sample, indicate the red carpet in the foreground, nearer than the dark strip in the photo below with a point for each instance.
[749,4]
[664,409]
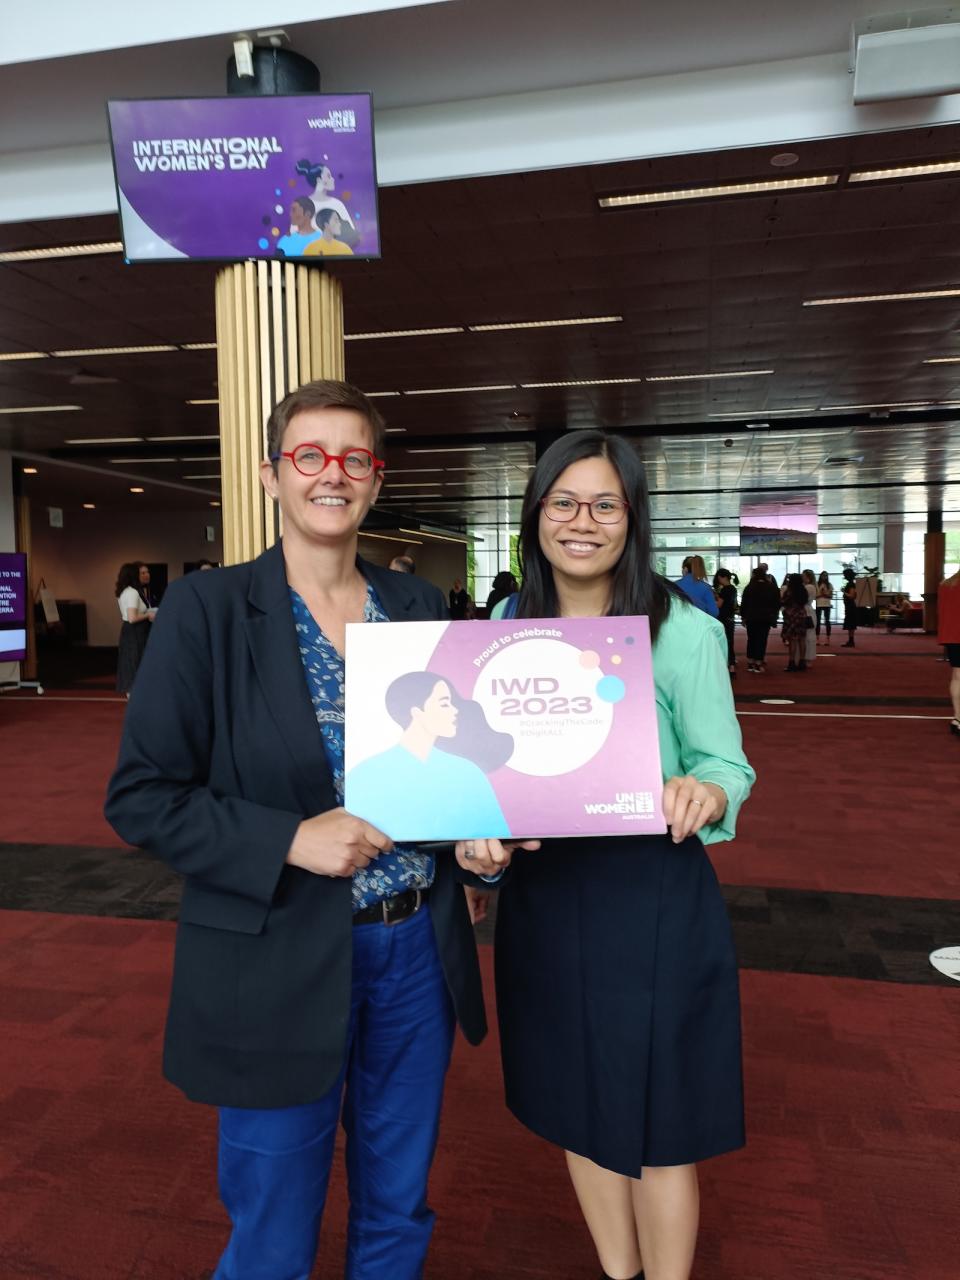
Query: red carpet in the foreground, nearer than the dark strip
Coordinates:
[107,1173]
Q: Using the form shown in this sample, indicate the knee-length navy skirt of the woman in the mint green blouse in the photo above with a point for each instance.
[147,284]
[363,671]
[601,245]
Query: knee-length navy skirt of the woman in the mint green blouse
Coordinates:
[619,1002]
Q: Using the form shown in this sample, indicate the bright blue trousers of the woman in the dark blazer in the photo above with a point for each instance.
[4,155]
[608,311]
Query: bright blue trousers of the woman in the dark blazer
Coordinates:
[276,1164]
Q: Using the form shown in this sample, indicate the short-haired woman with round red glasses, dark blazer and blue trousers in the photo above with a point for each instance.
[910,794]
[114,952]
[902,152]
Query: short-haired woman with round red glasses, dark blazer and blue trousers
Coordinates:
[319,968]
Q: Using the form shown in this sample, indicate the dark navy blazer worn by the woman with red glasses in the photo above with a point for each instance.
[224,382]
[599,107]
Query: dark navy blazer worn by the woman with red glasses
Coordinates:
[221,761]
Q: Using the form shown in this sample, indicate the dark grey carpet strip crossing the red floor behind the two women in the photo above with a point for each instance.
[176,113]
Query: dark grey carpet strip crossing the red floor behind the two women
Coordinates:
[778,930]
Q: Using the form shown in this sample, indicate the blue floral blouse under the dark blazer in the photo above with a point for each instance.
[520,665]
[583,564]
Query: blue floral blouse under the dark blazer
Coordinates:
[405,867]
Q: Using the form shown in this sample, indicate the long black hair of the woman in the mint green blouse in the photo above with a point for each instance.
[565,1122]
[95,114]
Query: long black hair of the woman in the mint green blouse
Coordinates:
[637,589]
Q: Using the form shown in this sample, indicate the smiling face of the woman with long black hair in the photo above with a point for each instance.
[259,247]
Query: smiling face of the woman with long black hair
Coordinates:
[584,551]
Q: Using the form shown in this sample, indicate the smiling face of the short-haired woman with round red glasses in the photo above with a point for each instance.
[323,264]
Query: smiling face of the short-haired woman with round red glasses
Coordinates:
[328,508]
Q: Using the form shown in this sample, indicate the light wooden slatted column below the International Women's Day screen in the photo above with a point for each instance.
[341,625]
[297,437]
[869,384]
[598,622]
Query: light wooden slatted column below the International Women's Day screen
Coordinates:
[278,326]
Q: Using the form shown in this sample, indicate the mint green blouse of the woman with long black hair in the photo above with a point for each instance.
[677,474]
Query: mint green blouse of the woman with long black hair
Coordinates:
[700,732]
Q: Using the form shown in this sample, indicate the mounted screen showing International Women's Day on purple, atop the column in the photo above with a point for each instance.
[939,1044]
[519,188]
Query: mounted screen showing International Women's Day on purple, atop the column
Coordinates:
[246,177]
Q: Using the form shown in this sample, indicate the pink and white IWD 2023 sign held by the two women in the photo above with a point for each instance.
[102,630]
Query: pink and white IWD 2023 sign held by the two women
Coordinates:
[522,728]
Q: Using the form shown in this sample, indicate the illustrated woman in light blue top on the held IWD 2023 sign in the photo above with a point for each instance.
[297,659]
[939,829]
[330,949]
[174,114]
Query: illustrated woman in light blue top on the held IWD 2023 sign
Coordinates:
[433,784]
